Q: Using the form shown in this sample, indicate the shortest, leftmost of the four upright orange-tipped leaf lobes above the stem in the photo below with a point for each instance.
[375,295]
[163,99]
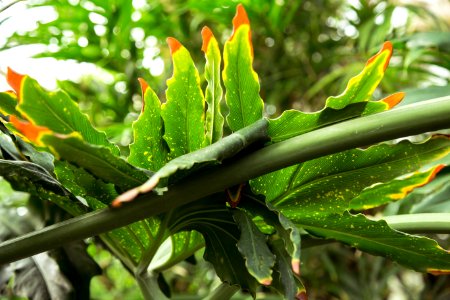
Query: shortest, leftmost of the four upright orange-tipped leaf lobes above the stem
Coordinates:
[149,150]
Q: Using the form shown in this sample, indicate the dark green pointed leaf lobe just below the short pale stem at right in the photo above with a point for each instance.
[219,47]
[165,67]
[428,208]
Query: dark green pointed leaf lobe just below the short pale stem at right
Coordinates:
[376,237]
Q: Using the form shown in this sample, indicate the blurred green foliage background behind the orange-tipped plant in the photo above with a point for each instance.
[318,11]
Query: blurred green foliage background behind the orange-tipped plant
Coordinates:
[305,51]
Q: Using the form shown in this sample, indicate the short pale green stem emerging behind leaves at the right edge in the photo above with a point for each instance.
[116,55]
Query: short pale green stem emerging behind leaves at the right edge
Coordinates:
[420,223]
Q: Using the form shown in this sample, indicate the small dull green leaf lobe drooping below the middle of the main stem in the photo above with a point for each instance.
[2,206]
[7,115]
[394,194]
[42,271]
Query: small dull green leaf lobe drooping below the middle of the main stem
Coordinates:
[252,244]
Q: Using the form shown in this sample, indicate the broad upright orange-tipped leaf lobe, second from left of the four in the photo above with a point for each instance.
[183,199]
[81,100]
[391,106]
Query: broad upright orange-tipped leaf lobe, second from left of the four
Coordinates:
[183,112]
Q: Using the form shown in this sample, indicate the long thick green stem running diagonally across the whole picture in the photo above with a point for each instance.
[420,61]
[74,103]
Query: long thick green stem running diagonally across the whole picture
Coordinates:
[408,120]
